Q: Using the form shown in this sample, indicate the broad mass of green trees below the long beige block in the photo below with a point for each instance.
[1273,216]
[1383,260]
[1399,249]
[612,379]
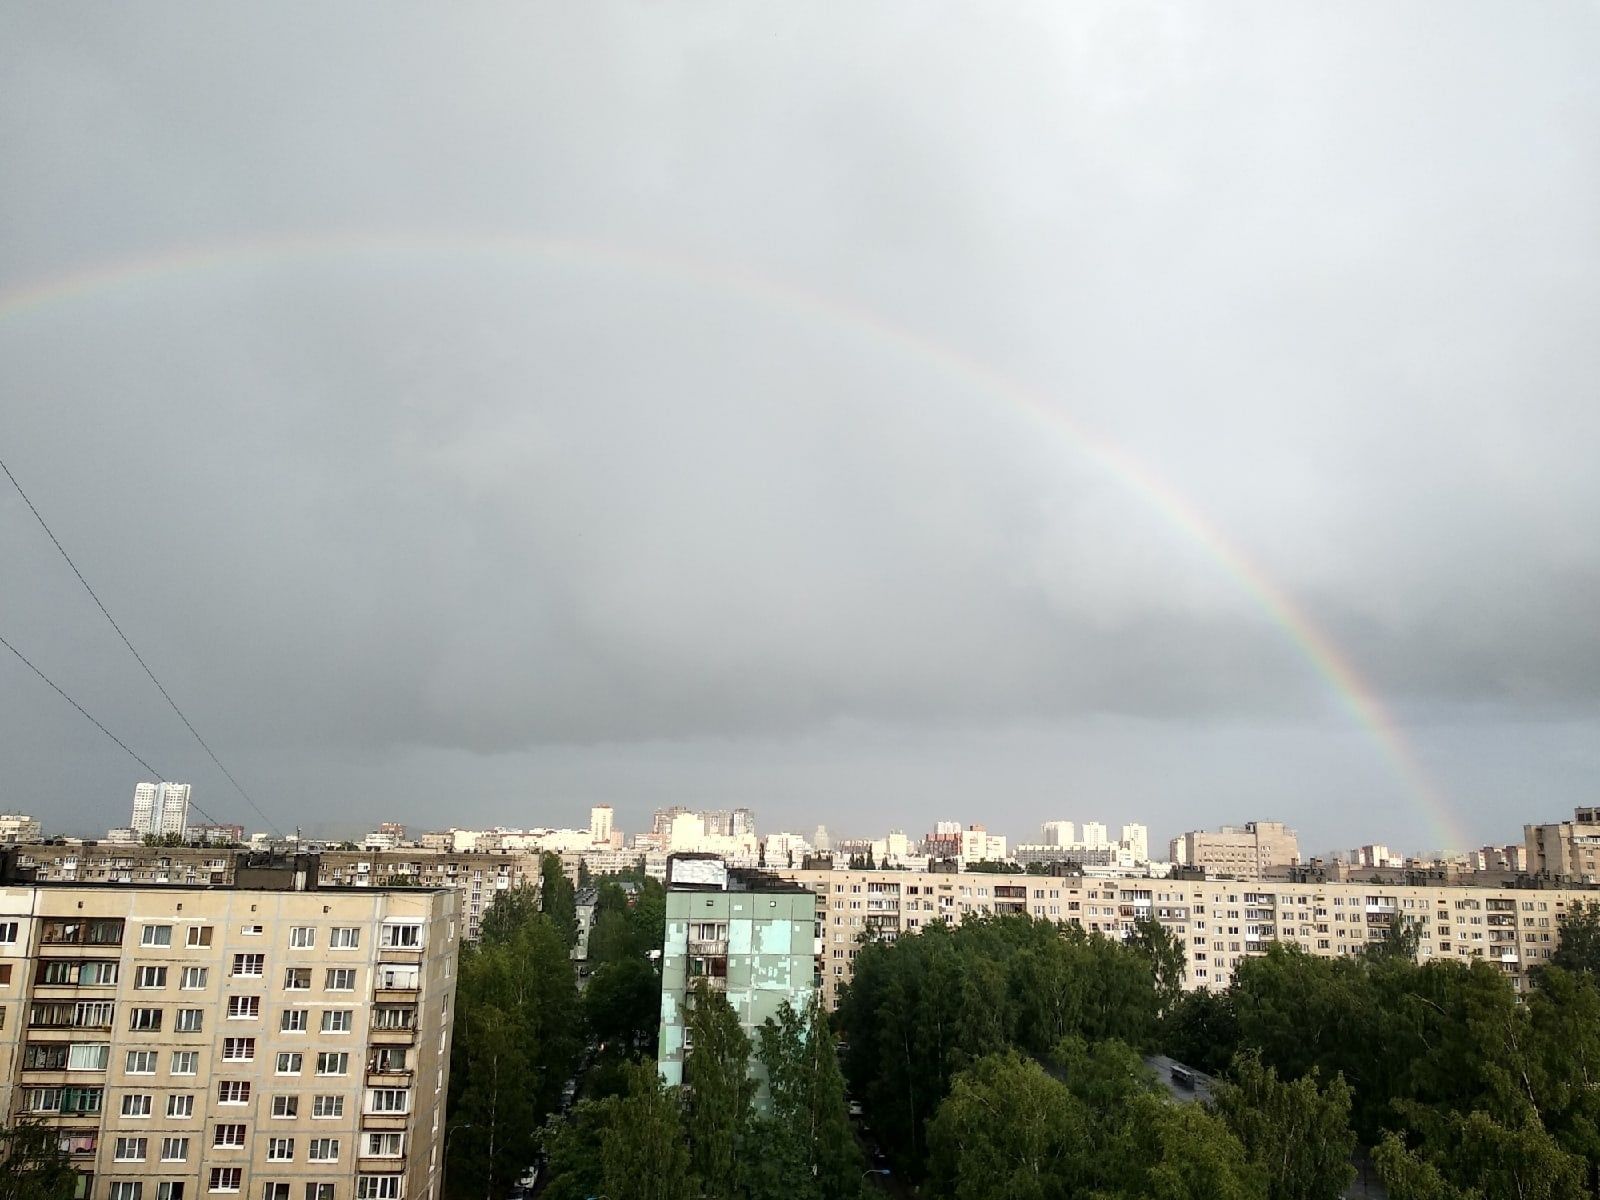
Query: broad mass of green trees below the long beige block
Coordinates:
[1004,1058]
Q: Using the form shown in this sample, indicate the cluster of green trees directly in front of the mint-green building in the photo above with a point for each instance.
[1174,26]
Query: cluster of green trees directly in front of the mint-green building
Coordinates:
[710,1140]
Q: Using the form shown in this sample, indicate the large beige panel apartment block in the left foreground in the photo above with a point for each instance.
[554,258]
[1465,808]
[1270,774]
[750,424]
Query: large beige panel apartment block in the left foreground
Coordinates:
[268,1039]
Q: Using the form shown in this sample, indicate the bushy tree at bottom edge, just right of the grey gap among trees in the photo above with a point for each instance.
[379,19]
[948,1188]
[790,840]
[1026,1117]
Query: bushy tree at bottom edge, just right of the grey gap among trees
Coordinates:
[1295,1130]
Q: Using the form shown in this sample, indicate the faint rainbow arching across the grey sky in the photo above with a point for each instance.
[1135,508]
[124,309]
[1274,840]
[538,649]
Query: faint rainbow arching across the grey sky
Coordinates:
[1354,695]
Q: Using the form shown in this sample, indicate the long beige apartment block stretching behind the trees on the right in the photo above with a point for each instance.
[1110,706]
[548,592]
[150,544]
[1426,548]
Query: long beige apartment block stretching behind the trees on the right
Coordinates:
[1220,922]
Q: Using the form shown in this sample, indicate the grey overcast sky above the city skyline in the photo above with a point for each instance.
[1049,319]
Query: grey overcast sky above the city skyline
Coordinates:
[522,409]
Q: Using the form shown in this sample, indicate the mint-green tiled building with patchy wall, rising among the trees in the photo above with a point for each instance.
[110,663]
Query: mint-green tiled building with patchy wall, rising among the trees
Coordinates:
[751,935]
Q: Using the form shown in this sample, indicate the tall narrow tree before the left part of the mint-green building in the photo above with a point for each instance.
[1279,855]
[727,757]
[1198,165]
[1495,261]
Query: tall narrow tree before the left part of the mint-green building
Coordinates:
[719,1090]
